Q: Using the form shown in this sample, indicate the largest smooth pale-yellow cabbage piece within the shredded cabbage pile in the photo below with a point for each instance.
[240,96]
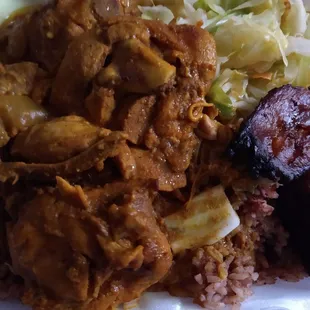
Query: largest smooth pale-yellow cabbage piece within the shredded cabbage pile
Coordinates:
[251,41]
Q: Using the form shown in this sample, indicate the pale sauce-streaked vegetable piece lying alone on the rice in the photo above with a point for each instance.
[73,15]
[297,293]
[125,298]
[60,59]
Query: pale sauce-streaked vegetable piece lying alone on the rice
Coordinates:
[206,219]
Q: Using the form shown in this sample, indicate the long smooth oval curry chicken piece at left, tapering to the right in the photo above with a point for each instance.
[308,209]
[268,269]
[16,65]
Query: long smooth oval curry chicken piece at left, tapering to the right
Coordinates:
[57,140]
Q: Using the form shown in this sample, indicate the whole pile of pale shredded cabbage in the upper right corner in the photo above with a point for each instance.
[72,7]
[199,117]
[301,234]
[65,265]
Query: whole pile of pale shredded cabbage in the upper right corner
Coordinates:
[261,44]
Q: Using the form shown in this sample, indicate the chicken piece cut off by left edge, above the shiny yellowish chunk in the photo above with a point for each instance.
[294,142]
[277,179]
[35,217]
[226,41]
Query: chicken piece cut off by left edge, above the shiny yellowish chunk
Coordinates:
[18,79]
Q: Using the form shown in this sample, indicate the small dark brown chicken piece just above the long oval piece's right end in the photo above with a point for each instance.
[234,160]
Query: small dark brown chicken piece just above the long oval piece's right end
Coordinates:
[100,105]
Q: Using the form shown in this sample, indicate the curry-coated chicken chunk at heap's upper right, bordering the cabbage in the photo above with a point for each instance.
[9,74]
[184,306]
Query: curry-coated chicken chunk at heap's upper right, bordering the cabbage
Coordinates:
[191,49]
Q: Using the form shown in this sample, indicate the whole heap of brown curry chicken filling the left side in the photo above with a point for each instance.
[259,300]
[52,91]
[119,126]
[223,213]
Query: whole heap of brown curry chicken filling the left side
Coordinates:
[95,125]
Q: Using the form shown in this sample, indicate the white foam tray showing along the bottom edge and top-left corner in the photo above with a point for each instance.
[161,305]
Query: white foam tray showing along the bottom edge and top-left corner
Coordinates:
[280,296]
